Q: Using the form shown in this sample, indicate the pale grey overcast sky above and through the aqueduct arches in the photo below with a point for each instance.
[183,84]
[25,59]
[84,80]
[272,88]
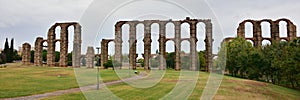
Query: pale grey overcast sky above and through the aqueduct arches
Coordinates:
[25,20]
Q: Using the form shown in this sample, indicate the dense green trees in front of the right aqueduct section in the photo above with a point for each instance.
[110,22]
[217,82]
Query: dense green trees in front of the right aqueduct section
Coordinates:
[278,63]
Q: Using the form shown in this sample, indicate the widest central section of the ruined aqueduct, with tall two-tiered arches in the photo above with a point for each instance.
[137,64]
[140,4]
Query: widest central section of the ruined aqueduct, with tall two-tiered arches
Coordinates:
[162,42]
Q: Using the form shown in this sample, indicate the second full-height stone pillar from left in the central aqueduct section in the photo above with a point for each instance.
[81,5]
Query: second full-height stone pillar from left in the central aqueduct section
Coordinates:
[132,45]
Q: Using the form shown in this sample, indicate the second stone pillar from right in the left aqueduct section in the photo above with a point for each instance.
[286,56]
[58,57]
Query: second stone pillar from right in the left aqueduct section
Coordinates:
[63,61]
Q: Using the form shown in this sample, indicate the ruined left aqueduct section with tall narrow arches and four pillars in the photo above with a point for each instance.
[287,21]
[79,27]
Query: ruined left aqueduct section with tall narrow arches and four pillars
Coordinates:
[51,40]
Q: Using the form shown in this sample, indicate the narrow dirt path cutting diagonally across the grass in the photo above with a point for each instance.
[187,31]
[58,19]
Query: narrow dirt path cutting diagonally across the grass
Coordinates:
[73,90]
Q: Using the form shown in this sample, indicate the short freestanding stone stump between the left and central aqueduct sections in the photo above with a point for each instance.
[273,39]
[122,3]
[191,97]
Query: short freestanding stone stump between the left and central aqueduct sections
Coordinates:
[90,57]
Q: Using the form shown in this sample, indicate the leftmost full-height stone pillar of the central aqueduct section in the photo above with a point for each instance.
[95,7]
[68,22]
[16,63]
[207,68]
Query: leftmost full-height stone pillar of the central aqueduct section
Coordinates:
[118,42]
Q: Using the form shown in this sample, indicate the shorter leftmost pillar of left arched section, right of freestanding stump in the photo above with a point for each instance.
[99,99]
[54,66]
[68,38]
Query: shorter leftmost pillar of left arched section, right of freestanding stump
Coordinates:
[38,49]
